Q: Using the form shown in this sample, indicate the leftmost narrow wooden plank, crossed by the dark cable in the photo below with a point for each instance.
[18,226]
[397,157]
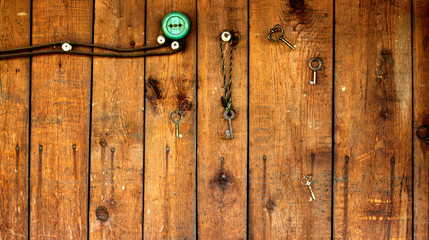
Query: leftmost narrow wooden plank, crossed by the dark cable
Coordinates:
[14,87]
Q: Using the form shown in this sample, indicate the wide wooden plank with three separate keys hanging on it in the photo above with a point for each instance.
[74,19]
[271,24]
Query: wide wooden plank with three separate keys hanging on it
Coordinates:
[290,120]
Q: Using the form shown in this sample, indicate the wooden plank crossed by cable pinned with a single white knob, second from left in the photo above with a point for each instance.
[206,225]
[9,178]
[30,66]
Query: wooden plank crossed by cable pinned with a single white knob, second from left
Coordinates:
[60,123]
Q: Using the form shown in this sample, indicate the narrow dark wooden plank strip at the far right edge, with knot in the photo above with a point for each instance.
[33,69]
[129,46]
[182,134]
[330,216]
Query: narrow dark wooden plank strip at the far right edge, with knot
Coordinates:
[421,118]
